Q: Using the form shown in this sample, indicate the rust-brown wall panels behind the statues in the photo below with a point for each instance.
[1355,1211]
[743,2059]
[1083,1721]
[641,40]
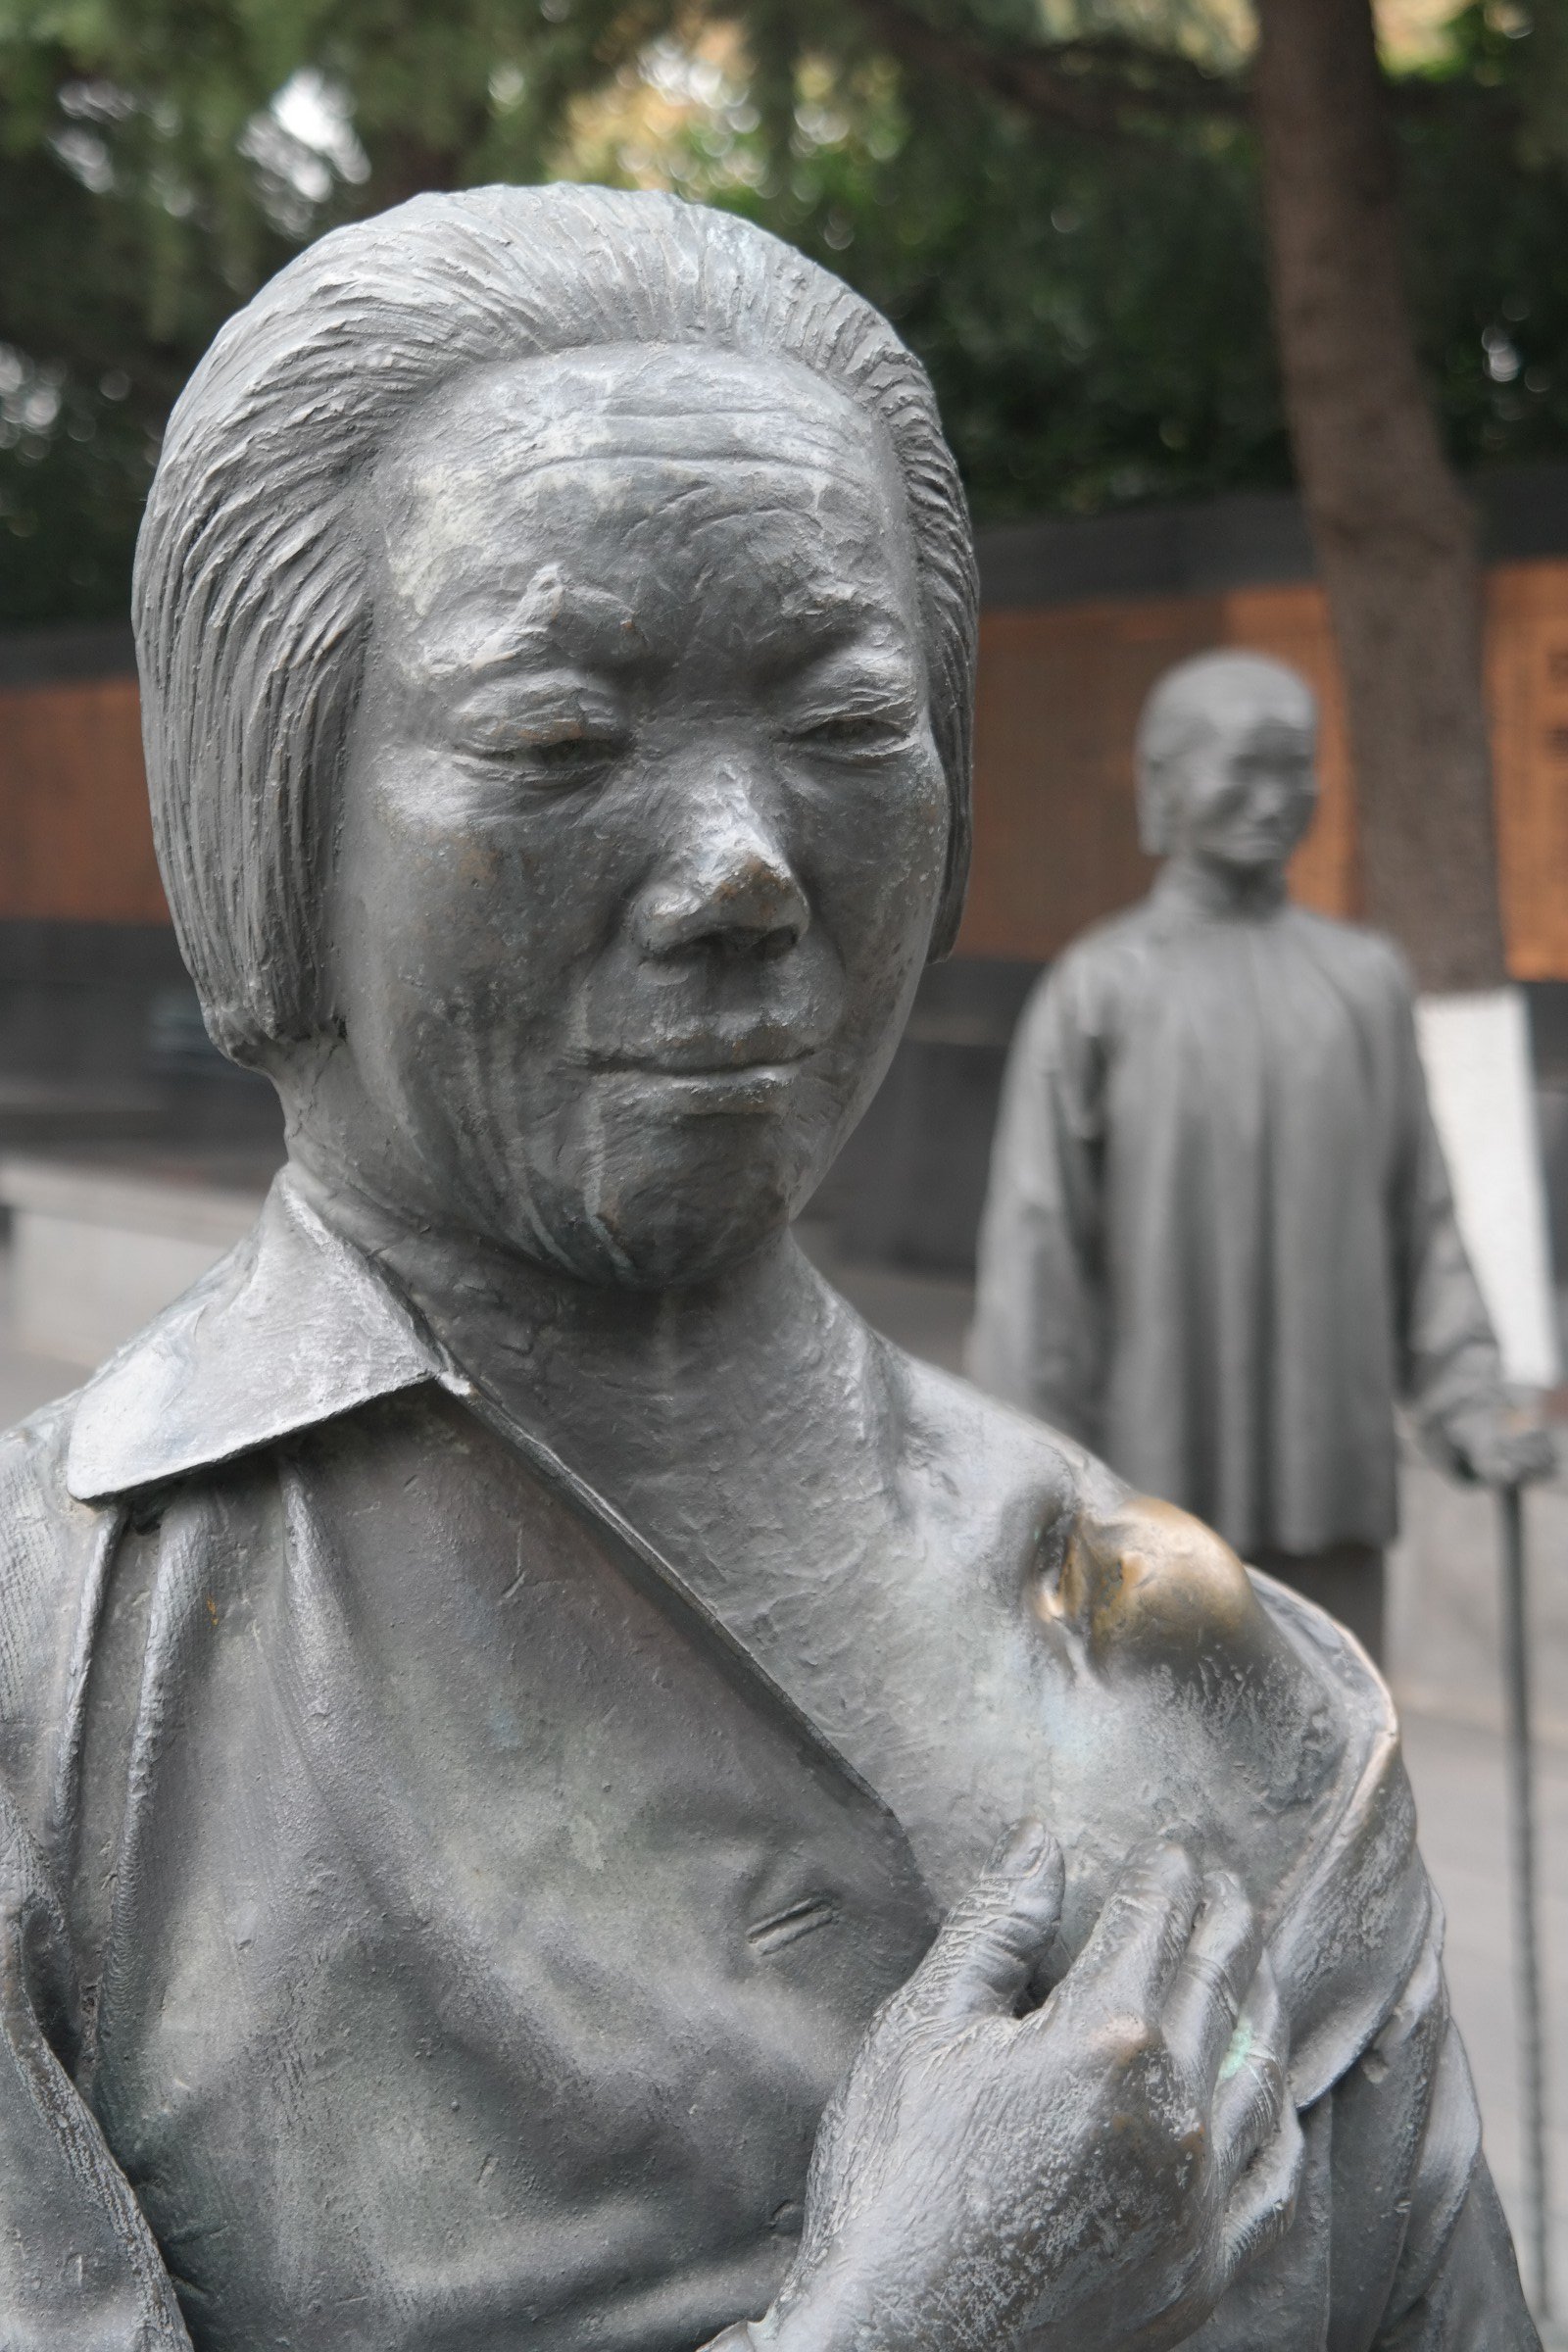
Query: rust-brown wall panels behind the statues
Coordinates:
[1054,777]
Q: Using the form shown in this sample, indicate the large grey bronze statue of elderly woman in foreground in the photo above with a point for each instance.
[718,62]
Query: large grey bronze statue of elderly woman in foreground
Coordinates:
[556,1789]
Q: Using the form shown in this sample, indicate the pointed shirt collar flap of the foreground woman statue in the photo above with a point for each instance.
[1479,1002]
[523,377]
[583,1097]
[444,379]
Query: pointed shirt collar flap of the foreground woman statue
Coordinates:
[288,1330]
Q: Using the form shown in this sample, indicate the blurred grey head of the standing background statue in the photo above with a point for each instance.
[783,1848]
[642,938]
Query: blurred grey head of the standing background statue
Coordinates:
[1226,770]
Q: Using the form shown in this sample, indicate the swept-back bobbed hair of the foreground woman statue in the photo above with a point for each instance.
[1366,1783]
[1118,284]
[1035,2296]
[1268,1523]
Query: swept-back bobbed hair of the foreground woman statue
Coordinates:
[250,596]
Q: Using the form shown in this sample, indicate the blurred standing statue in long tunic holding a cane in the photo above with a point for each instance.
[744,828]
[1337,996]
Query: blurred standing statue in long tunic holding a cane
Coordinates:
[1219,1241]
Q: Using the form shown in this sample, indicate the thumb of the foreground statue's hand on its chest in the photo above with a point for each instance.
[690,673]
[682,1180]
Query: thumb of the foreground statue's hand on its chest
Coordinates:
[996,1939]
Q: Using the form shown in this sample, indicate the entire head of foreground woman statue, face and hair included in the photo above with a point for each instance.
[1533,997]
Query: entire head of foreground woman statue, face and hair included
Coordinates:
[556,617]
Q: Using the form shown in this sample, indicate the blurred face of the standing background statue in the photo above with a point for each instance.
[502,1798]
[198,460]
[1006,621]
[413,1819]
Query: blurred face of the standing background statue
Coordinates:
[1245,794]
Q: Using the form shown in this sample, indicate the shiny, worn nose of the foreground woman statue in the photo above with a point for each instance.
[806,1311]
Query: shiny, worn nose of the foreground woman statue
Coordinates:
[725,888]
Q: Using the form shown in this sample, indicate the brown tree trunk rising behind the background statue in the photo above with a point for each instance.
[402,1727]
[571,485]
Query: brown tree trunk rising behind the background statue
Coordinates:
[1393,530]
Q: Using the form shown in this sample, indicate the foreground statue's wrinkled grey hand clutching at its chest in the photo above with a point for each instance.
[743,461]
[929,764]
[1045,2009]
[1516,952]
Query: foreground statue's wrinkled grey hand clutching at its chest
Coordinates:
[1087,2177]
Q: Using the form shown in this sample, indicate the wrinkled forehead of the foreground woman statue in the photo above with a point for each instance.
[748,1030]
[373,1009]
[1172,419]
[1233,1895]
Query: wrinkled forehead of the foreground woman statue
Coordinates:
[601,467]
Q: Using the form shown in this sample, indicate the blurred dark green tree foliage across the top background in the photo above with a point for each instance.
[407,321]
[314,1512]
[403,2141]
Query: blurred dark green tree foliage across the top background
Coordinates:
[1087,288]
